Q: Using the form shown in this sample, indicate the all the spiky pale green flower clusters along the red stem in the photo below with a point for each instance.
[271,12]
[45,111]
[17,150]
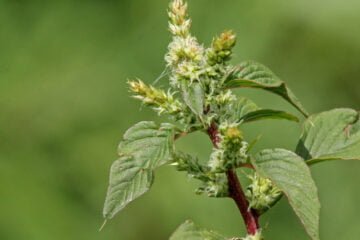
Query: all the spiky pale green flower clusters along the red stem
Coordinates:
[198,73]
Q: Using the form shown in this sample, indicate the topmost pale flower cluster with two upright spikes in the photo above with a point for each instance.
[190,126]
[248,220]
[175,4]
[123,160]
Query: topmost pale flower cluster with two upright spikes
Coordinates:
[189,60]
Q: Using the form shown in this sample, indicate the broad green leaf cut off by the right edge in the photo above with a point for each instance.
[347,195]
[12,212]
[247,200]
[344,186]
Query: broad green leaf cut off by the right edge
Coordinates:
[331,135]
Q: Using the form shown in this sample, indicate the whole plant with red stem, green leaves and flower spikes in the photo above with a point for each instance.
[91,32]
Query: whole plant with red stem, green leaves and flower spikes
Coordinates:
[200,99]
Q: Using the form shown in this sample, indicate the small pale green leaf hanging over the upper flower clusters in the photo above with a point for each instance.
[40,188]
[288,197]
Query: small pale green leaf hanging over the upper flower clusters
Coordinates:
[193,96]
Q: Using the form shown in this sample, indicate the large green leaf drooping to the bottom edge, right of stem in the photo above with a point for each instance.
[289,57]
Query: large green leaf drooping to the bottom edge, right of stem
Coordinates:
[291,175]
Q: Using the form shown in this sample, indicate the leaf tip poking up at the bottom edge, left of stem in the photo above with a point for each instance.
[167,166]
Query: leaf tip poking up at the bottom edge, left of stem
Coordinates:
[188,231]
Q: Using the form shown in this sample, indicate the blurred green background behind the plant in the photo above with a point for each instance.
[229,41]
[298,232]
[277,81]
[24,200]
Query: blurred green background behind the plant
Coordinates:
[64,105]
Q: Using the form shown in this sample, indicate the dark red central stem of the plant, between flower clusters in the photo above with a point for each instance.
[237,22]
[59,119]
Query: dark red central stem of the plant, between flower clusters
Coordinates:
[249,216]
